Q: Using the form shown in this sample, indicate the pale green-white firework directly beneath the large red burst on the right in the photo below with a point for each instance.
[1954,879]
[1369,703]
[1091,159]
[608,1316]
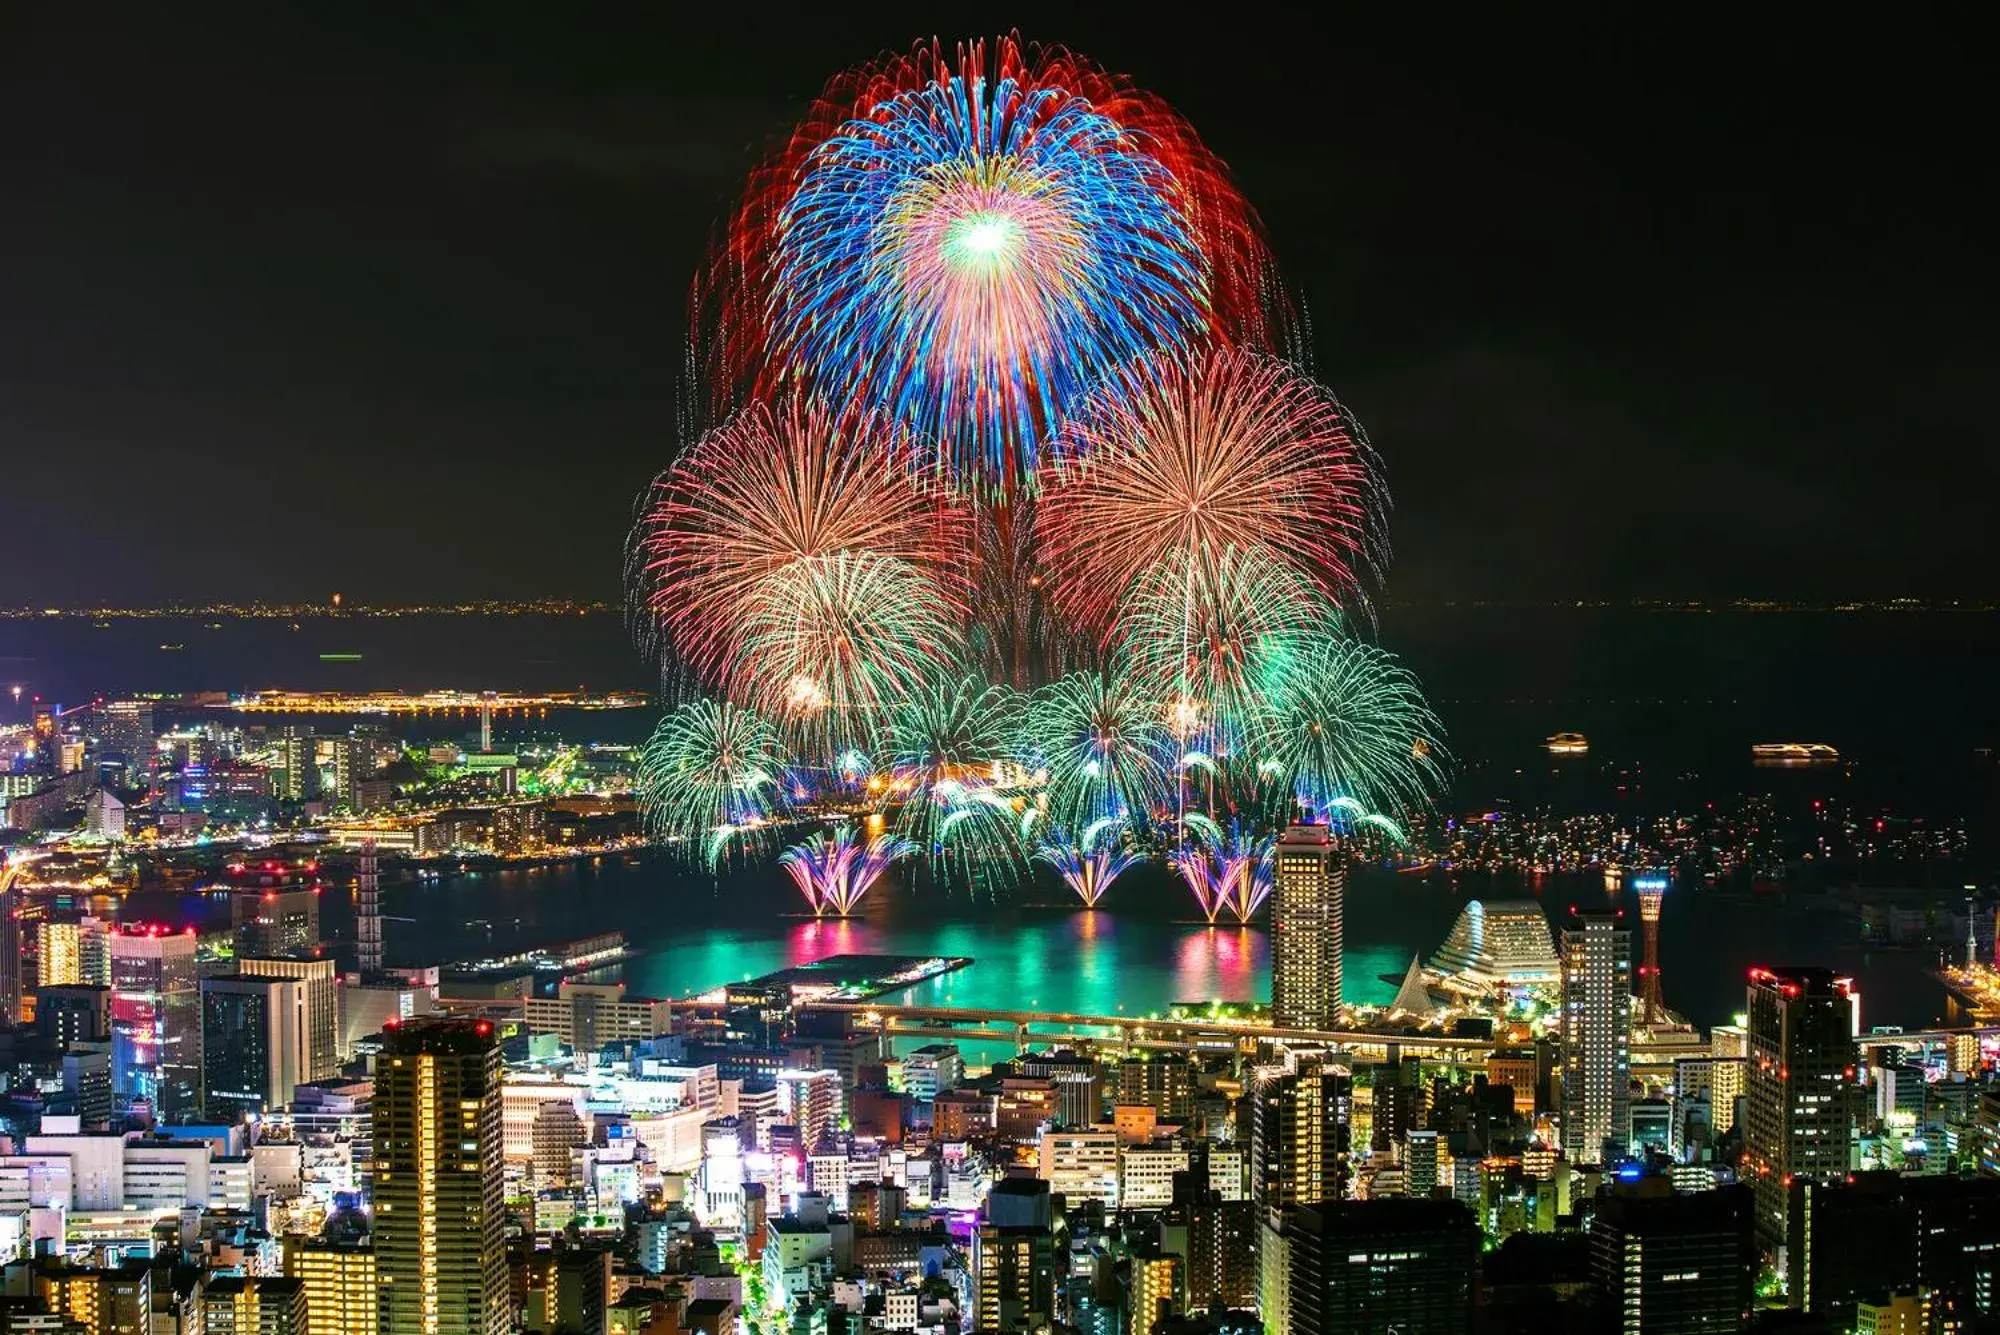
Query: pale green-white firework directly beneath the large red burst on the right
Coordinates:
[1211,639]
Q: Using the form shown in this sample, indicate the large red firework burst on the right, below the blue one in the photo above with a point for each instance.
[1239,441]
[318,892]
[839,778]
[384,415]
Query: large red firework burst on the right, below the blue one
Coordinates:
[1185,459]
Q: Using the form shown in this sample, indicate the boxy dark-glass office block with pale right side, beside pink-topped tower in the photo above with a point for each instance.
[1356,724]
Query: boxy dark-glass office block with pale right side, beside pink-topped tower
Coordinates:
[255,1044]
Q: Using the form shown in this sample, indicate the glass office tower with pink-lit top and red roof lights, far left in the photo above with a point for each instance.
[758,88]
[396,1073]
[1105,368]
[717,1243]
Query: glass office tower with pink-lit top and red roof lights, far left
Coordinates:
[157,1020]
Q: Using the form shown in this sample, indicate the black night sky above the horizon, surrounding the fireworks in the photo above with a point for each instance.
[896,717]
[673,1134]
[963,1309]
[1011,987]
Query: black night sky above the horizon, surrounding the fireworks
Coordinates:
[391,299]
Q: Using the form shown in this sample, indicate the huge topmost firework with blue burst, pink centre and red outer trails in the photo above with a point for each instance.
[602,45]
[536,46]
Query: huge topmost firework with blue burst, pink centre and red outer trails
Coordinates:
[971,241]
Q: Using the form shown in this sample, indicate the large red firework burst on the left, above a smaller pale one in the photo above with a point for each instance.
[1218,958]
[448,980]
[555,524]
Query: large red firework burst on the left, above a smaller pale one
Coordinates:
[767,507]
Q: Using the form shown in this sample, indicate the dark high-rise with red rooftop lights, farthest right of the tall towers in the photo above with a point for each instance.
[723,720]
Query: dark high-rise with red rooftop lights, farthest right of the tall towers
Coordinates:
[1801,1088]
